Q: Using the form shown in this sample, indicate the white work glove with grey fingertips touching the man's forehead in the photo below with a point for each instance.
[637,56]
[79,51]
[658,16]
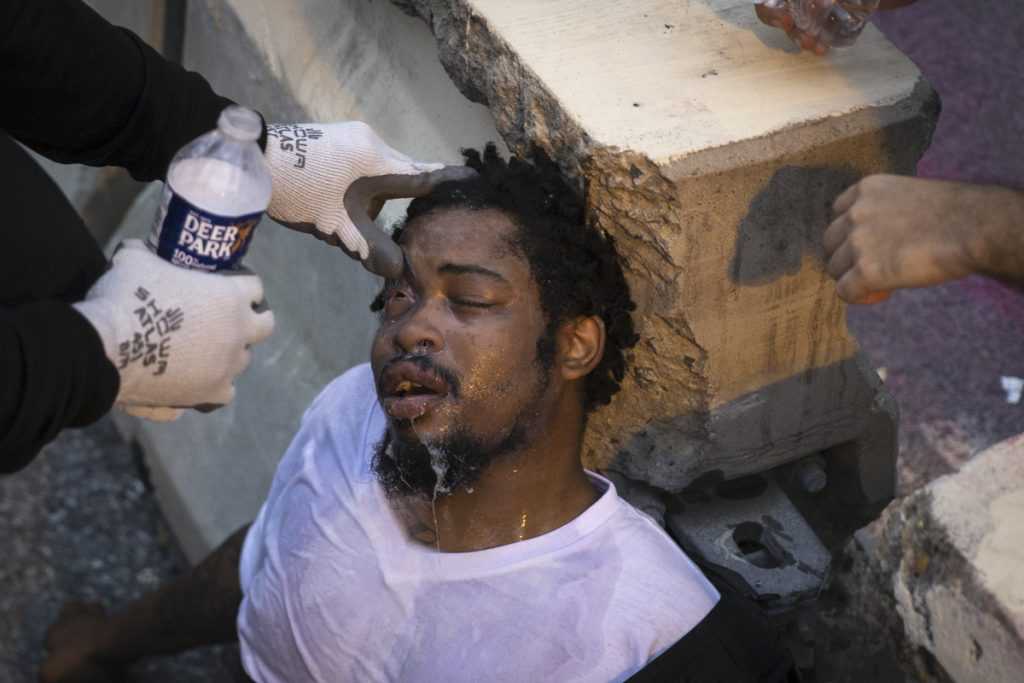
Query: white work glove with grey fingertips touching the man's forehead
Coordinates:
[314,165]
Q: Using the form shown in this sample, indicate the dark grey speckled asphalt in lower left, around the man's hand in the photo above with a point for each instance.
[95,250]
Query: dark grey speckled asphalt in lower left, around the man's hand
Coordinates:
[80,525]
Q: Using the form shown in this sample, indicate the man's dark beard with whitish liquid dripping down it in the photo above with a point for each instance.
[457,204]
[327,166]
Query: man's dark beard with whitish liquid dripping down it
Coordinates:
[441,467]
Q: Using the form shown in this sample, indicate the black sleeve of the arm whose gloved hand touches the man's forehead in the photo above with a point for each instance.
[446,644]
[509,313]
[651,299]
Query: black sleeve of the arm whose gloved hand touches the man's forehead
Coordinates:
[78,90]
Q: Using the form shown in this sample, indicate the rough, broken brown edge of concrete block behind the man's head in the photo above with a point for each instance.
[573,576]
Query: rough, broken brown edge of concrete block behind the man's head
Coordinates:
[628,196]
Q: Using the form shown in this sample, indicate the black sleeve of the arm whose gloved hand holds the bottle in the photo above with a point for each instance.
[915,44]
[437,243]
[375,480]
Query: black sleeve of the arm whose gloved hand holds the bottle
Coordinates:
[56,375]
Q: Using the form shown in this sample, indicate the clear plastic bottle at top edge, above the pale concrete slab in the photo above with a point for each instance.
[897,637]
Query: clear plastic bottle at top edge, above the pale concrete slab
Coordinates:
[834,23]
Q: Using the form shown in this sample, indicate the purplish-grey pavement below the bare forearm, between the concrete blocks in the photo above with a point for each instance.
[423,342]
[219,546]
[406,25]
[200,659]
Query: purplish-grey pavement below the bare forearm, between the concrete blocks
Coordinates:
[945,351]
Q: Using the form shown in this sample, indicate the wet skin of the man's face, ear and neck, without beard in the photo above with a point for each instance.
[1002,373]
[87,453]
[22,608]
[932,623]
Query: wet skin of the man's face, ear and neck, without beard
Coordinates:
[470,306]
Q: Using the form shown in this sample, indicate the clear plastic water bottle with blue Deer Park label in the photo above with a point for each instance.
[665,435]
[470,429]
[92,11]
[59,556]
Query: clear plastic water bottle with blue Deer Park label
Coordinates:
[218,189]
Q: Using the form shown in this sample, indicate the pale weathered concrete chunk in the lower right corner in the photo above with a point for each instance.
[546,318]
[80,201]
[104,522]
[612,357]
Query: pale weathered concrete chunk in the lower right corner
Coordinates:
[959,547]
